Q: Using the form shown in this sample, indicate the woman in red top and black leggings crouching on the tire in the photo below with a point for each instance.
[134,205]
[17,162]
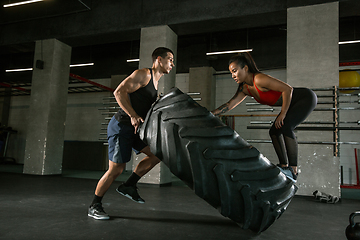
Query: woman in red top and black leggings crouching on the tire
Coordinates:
[296,104]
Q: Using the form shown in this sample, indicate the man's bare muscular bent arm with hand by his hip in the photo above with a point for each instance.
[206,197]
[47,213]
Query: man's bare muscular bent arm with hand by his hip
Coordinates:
[136,80]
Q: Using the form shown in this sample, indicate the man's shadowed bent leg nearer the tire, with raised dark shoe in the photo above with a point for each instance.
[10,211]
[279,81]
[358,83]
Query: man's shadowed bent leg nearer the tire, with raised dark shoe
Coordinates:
[129,189]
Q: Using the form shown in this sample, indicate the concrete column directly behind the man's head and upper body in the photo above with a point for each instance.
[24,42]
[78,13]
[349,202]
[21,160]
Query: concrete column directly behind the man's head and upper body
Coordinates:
[151,38]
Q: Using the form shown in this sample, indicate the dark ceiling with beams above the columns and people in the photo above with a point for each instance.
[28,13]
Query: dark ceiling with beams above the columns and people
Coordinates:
[107,32]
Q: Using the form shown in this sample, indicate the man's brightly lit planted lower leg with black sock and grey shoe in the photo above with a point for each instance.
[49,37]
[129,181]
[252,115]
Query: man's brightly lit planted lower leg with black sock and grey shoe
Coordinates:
[96,210]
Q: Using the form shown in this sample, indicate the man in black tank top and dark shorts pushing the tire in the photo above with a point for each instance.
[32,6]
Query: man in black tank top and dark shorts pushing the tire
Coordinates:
[135,95]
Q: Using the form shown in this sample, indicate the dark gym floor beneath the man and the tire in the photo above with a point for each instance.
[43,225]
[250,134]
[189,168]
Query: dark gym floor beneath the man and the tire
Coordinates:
[55,207]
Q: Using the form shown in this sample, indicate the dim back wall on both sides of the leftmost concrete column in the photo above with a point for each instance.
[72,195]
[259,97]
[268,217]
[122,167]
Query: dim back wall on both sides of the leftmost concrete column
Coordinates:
[83,119]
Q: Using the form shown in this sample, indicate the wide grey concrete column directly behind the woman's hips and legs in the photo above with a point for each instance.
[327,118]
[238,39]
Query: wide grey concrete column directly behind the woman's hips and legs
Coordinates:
[313,62]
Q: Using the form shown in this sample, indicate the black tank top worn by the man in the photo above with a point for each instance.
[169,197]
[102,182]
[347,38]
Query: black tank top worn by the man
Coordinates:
[141,101]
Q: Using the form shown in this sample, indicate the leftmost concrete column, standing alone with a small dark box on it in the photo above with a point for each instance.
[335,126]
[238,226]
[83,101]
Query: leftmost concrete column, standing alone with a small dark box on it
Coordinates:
[46,119]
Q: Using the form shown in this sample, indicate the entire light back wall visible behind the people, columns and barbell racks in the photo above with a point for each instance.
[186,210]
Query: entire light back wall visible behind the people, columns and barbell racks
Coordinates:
[83,120]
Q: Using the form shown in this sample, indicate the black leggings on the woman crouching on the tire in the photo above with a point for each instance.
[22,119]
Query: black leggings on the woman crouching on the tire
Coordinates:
[303,102]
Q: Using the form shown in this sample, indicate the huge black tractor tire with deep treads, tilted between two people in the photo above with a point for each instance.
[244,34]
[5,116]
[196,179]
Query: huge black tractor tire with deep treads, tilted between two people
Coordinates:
[215,162]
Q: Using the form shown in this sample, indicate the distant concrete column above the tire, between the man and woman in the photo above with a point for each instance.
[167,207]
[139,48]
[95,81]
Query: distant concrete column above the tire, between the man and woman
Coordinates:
[202,80]
